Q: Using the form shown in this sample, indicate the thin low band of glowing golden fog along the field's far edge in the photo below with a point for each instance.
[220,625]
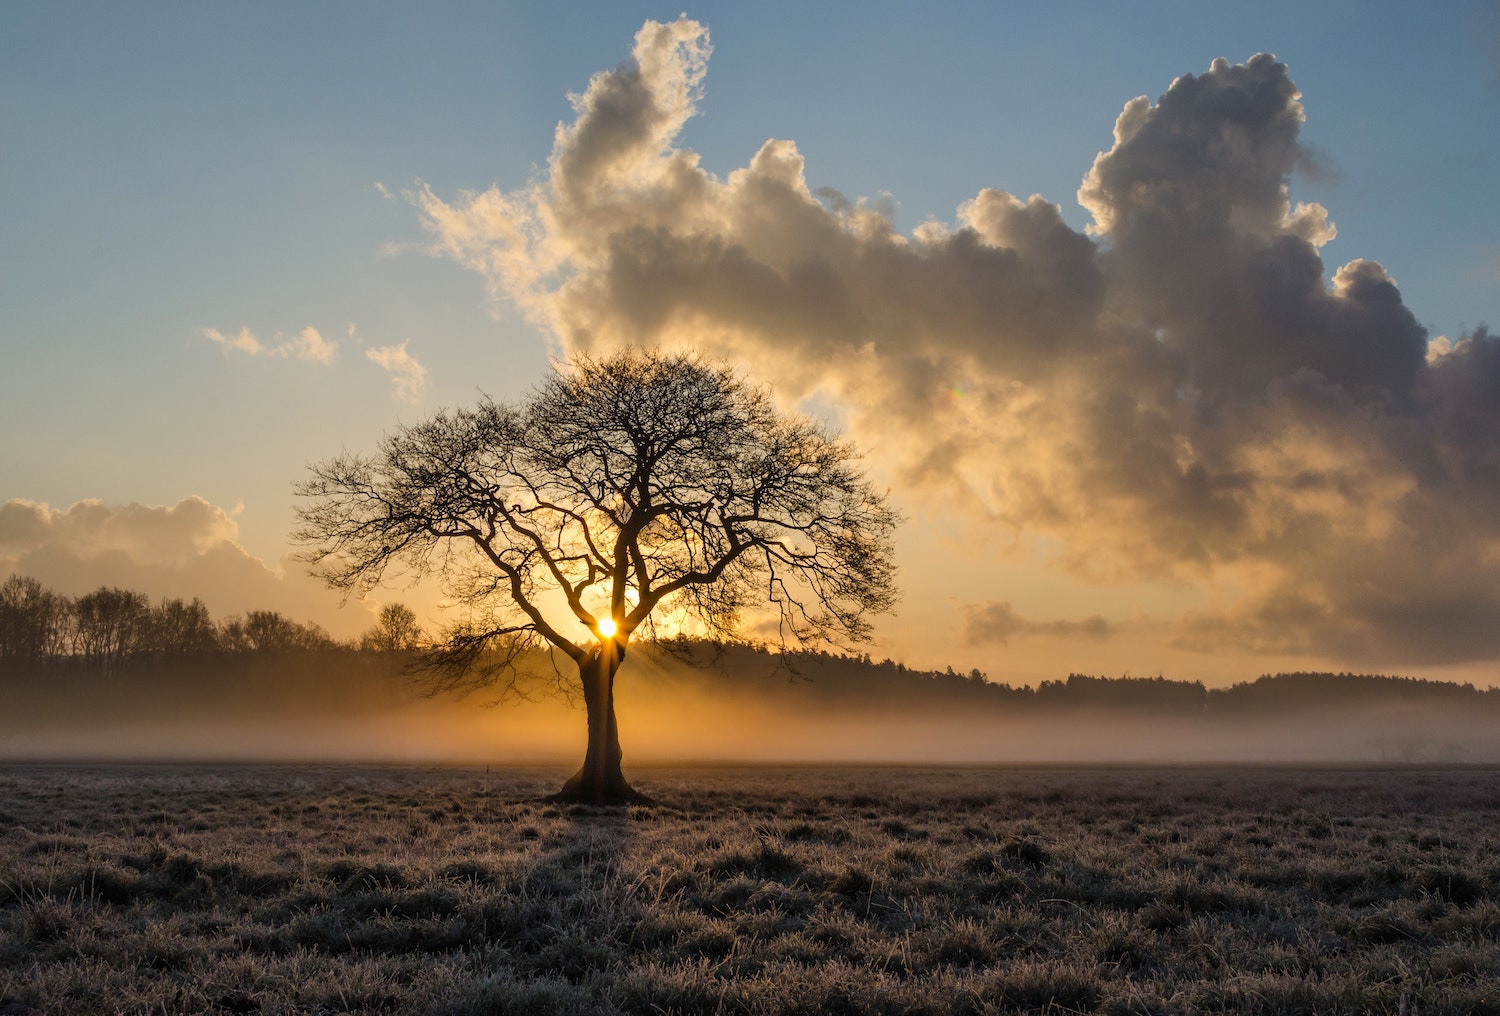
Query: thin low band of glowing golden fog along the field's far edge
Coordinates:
[722,735]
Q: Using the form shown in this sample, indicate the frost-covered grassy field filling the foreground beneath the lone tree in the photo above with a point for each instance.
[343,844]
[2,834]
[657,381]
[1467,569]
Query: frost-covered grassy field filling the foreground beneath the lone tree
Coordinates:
[749,891]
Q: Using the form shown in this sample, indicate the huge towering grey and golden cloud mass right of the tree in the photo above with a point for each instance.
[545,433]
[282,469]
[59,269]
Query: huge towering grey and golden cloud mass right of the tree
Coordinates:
[1180,391]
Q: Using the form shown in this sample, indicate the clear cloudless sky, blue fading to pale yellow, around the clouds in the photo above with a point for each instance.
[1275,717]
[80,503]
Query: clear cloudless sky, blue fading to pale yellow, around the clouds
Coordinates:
[172,169]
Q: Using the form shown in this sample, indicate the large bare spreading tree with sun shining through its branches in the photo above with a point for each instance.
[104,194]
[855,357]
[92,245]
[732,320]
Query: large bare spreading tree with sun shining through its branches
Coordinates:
[625,491]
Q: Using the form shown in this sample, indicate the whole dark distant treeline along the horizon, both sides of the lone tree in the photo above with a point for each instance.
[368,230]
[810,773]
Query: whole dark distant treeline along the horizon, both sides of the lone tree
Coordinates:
[116,633]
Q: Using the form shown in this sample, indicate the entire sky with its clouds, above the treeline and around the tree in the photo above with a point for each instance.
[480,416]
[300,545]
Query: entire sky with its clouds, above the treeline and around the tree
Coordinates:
[1166,328]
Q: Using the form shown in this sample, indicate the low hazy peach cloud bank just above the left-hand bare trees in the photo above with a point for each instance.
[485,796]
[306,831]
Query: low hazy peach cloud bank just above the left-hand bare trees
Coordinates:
[185,550]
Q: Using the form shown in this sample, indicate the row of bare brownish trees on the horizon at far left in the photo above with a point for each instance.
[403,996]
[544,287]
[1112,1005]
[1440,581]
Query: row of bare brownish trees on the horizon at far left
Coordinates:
[113,628]
